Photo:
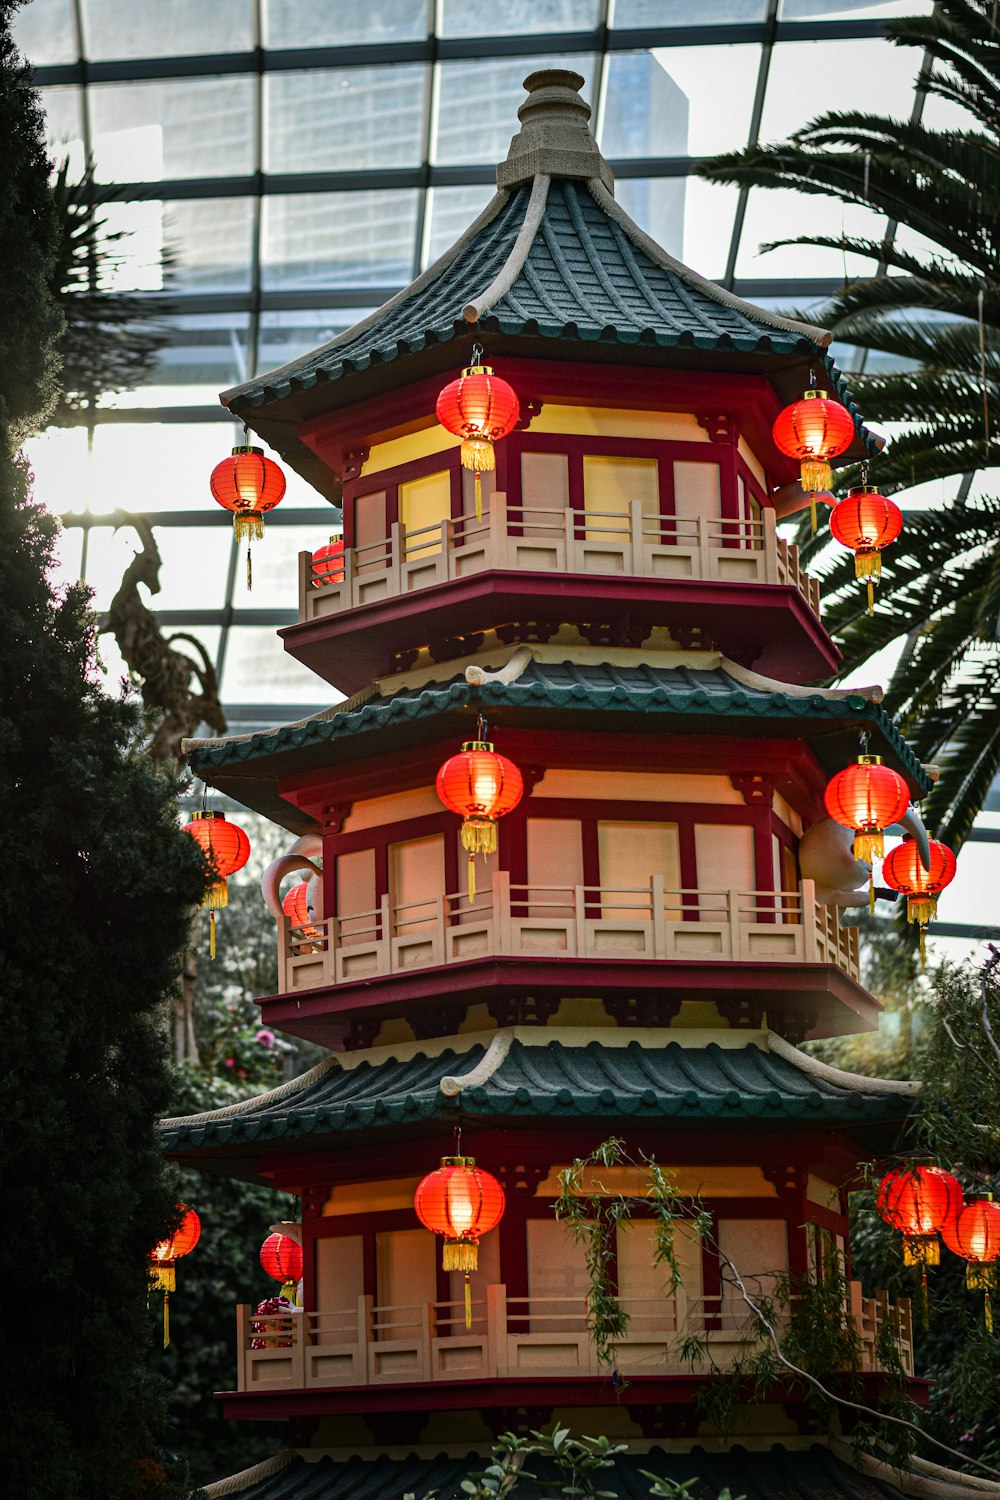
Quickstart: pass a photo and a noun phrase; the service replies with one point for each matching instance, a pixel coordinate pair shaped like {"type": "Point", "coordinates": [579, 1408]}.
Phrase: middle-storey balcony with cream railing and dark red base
{"type": "Point", "coordinates": [746, 950]}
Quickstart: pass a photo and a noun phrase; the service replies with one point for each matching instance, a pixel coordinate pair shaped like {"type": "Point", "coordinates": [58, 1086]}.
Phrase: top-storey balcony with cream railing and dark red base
{"type": "Point", "coordinates": [522, 563]}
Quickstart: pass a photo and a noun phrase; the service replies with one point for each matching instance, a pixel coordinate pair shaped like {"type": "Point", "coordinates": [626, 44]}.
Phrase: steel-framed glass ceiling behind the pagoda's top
{"type": "Point", "coordinates": [302, 160]}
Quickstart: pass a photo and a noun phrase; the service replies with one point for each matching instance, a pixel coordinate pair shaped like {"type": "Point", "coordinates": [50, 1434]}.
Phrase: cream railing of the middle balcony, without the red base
{"type": "Point", "coordinates": [573, 922]}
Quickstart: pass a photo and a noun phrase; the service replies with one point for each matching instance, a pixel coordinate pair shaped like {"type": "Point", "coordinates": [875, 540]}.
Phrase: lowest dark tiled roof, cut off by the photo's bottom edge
{"type": "Point", "coordinates": [774, 1475]}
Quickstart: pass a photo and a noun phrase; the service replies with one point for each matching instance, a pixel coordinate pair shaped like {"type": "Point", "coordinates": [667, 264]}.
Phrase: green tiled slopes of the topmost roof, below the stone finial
{"type": "Point", "coordinates": [582, 281]}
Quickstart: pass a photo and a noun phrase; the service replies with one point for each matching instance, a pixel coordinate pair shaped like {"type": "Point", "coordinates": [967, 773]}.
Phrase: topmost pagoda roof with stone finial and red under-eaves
{"type": "Point", "coordinates": [554, 268]}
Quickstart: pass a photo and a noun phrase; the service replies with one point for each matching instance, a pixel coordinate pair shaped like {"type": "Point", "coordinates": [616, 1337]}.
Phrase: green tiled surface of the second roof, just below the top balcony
{"type": "Point", "coordinates": [659, 694]}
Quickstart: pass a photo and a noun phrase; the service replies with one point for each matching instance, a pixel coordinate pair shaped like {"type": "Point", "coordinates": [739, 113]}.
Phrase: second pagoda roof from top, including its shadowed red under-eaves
{"type": "Point", "coordinates": [582, 695]}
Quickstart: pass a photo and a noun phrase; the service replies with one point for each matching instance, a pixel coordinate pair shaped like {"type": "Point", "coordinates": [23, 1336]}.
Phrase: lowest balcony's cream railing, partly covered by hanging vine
{"type": "Point", "coordinates": [512, 1339]}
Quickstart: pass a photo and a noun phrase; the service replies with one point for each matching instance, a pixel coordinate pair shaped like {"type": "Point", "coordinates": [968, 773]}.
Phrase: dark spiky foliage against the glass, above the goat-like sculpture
{"type": "Point", "coordinates": [112, 340]}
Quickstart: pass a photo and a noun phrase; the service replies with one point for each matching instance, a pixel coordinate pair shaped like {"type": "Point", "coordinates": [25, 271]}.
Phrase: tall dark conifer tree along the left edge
{"type": "Point", "coordinates": [94, 913]}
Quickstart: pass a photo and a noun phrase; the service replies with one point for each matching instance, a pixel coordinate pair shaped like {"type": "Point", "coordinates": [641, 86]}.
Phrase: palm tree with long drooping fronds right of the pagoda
{"type": "Point", "coordinates": [938, 314]}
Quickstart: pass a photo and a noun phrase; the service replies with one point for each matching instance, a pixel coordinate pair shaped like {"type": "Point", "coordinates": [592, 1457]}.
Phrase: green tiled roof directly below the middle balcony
{"type": "Point", "coordinates": [696, 1085]}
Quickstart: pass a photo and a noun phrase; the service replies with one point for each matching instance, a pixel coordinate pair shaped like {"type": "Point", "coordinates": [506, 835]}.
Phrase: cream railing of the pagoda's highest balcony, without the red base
{"type": "Point", "coordinates": [536, 539]}
